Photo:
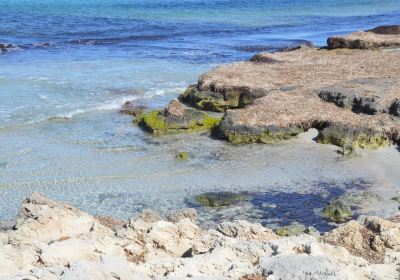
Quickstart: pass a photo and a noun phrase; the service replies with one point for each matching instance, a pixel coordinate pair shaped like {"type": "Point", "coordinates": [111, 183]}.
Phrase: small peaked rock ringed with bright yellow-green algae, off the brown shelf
{"type": "Point", "coordinates": [176, 119]}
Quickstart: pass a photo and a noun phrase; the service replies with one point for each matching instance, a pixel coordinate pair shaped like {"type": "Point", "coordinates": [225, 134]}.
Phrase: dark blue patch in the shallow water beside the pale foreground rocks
{"type": "Point", "coordinates": [278, 209]}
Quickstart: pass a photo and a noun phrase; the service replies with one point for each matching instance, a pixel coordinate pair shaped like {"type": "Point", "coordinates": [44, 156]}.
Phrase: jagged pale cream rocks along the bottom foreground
{"type": "Point", "coordinates": [53, 240]}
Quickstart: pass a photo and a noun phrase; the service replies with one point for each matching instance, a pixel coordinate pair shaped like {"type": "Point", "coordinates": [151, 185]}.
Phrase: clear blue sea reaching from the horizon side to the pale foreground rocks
{"type": "Point", "coordinates": [76, 62]}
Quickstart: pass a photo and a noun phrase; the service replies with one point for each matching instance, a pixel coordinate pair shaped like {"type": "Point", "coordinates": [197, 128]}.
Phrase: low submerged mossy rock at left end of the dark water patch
{"type": "Point", "coordinates": [219, 199]}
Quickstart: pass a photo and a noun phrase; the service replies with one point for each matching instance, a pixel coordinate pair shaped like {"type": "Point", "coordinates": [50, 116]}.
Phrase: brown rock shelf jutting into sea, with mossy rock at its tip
{"type": "Point", "coordinates": [348, 91]}
